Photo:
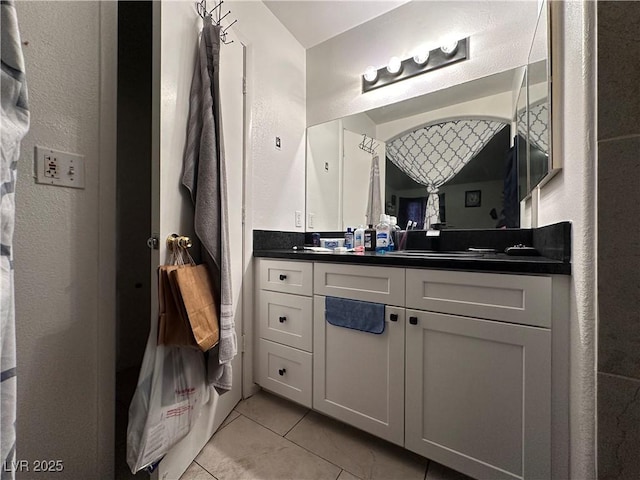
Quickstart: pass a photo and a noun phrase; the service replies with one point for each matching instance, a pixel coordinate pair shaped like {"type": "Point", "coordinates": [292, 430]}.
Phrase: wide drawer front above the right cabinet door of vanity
{"type": "Point", "coordinates": [521, 299]}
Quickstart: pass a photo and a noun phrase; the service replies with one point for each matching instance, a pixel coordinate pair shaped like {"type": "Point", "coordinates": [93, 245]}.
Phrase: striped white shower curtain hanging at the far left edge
{"type": "Point", "coordinates": [15, 123]}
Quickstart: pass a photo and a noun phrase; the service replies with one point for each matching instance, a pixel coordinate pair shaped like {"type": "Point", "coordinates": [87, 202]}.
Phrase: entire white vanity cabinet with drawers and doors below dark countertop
{"type": "Point", "coordinates": [462, 373]}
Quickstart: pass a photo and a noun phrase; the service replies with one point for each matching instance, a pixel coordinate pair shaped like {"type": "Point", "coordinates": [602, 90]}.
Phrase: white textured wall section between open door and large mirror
{"type": "Point", "coordinates": [276, 96]}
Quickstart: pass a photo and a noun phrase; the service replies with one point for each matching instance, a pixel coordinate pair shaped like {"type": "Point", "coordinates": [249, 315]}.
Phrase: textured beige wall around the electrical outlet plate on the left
{"type": "Point", "coordinates": [58, 248]}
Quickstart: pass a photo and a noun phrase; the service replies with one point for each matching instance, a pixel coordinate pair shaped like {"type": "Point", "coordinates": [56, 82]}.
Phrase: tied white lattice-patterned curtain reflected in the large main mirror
{"type": "Point", "coordinates": [434, 154]}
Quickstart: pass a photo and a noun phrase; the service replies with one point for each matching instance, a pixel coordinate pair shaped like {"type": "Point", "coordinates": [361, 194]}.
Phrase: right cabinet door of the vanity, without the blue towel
{"type": "Point", "coordinates": [478, 395]}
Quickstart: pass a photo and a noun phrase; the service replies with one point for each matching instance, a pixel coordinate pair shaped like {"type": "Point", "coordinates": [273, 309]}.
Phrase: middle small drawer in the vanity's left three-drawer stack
{"type": "Point", "coordinates": [285, 318]}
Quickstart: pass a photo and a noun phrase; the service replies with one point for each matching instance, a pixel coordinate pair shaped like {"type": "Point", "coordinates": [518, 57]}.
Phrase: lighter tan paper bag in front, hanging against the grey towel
{"type": "Point", "coordinates": [193, 291]}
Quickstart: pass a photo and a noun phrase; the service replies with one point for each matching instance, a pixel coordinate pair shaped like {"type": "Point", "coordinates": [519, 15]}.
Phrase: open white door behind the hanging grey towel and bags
{"type": "Point", "coordinates": [175, 47]}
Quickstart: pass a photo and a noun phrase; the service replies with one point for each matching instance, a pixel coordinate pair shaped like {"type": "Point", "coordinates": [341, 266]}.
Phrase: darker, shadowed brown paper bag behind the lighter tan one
{"type": "Point", "coordinates": [173, 324]}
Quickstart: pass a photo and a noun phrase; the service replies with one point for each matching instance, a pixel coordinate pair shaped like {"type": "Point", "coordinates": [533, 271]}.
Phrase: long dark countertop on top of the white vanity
{"type": "Point", "coordinates": [492, 262]}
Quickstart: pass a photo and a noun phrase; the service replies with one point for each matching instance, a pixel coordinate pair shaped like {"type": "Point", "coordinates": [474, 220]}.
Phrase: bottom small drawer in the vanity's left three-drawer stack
{"type": "Point", "coordinates": [285, 371]}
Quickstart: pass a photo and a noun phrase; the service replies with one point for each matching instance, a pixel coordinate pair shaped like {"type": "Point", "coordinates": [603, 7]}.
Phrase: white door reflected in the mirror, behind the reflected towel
{"type": "Point", "coordinates": [355, 179]}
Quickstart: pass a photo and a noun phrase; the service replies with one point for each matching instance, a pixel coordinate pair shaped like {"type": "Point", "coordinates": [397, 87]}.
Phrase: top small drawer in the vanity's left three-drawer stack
{"type": "Point", "coordinates": [285, 276]}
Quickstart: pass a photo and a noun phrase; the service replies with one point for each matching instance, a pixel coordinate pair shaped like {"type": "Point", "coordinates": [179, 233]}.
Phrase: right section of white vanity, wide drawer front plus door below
{"type": "Point", "coordinates": [478, 375]}
